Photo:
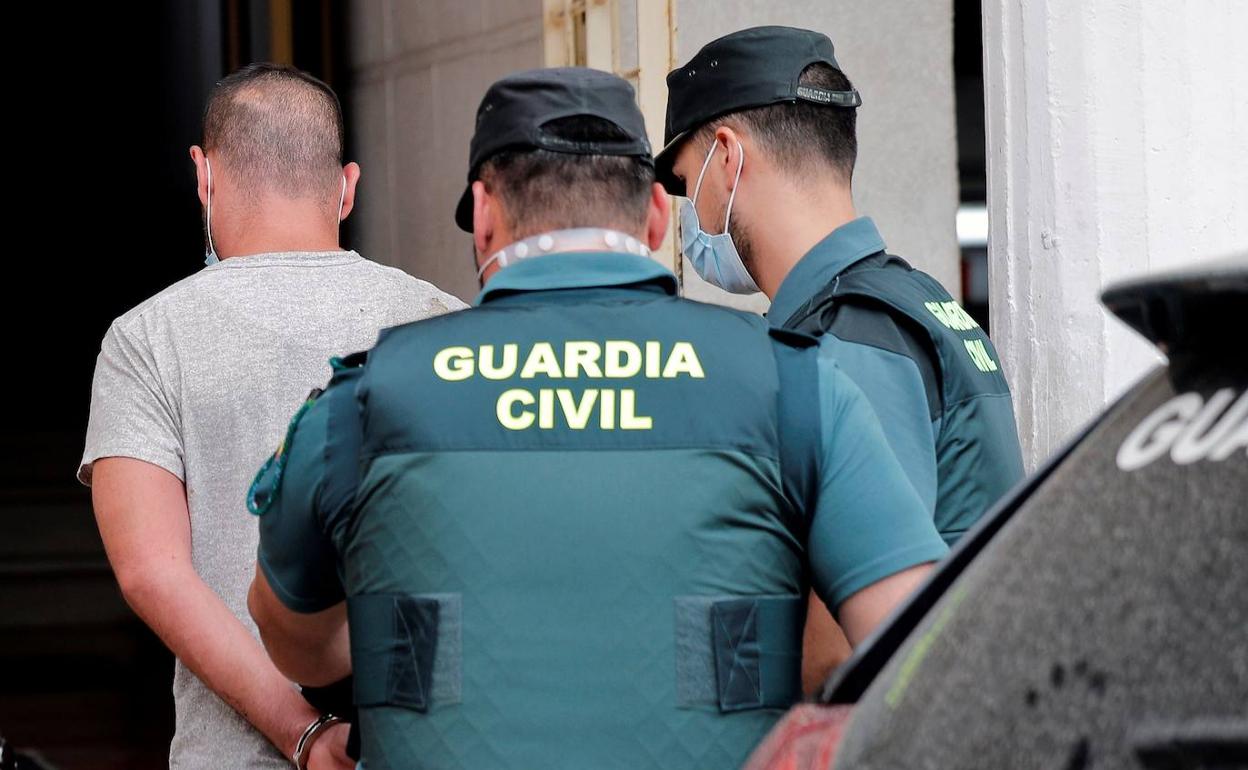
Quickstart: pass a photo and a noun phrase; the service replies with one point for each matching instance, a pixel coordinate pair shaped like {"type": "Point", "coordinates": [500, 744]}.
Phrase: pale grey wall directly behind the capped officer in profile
{"type": "Point", "coordinates": [899, 54]}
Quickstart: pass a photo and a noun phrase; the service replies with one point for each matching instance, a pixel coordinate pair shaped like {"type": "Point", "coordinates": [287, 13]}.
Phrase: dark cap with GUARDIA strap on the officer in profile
{"type": "Point", "coordinates": [753, 68]}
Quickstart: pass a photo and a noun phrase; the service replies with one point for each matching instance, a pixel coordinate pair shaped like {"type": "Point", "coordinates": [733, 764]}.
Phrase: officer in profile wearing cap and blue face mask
{"type": "Point", "coordinates": [761, 137]}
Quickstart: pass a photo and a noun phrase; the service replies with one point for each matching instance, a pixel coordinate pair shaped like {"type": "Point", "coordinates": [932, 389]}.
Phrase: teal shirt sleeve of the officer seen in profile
{"type": "Point", "coordinates": [895, 391]}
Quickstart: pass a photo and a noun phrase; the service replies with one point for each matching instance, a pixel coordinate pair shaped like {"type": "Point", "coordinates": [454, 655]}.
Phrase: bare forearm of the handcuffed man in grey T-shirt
{"type": "Point", "coordinates": [215, 646]}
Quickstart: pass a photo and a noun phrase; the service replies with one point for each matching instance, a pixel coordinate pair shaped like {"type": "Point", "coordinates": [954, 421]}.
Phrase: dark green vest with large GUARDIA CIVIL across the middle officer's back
{"type": "Point", "coordinates": [572, 545]}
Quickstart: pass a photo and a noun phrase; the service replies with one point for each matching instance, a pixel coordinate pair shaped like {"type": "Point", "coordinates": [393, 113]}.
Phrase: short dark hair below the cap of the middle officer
{"type": "Point", "coordinates": [544, 190]}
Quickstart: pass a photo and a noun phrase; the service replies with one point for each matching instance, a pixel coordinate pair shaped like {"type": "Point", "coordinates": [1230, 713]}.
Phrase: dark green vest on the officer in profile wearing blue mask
{"type": "Point", "coordinates": [978, 454]}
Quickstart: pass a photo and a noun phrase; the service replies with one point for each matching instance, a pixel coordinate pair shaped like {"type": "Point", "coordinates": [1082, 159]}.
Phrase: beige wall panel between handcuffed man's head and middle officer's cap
{"type": "Point", "coordinates": [420, 69]}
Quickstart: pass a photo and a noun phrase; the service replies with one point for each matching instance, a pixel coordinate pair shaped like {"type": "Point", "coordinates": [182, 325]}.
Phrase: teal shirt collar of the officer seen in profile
{"type": "Point", "coordinates": [827, 260]}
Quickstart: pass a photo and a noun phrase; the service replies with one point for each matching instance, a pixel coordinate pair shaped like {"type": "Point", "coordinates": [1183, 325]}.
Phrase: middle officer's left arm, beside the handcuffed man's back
{"type": "Point", "coordinates": [296, 597]}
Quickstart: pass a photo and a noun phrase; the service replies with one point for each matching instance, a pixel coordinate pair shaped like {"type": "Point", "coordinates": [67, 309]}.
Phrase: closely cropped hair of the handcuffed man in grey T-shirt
{"type": "Point", "coordinates": [279, 127]}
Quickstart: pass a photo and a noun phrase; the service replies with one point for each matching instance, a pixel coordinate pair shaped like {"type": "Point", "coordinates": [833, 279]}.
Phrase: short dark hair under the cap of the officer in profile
{"type": "Point", "coordinates": [796, 133]}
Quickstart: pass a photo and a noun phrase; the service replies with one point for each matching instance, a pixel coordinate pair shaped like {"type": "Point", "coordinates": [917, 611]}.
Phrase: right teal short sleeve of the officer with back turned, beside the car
{"type": "Point", "coordinates": [869, 522]}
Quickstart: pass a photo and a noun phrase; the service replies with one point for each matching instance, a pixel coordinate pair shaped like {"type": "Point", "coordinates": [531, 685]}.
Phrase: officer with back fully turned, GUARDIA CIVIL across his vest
{"type": "Point", "coordinates": [573, 526]}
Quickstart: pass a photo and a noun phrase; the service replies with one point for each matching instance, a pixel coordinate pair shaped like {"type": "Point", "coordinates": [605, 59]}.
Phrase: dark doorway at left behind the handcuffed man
{"type": "Point", "coordinates": [102, 112]}
